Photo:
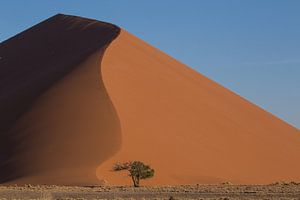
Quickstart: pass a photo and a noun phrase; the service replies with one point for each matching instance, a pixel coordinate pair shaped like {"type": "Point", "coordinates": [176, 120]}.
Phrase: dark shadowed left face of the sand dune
{"type": "Point", "coordinates": [57, 121]}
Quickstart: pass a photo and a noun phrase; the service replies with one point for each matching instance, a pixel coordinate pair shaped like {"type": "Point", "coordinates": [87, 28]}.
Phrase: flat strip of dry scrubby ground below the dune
{"type": "Point", "coordinates": [223, 191]}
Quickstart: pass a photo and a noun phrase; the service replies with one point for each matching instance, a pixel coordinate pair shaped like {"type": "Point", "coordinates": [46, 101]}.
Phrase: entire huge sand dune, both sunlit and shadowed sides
{"type": "Point", "coordinates": [71, 124]}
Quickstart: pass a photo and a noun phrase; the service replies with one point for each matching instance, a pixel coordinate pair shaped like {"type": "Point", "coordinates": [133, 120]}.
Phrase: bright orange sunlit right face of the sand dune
{"type": "Point", "coordinates": [190, 129]}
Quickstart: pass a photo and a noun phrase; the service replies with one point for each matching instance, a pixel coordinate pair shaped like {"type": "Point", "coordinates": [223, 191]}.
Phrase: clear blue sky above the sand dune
{"type": "Point", "coordinates": [250, 46]}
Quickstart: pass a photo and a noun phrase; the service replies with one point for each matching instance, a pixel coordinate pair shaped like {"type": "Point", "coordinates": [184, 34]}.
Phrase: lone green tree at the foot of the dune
{"type": "Point", "coordinates": [137, 170]}
